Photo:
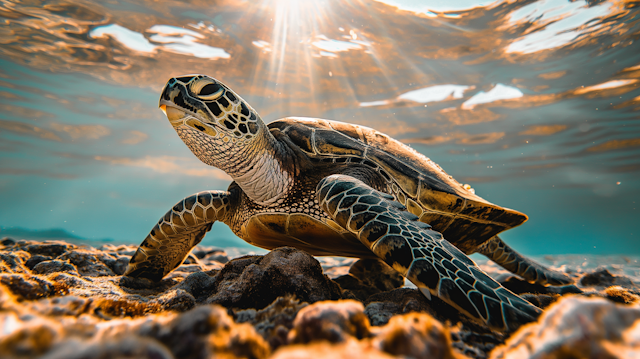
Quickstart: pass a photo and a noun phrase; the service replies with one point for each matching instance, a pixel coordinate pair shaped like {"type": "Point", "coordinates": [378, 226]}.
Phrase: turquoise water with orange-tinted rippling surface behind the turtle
{"type": "Point", "coordinates": [535, 104]}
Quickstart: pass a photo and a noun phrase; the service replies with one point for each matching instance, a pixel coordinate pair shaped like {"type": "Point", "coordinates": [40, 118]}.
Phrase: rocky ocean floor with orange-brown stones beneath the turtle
{"type": "Point", "coordinates": [60, 300]}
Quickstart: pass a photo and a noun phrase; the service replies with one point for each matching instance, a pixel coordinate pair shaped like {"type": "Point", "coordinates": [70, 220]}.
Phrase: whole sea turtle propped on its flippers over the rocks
{"type": "Point", "coordinates": [332, 188]}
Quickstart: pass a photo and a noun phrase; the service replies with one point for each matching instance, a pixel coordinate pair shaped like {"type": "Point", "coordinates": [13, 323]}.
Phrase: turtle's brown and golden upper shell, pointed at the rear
{"type": "Point", "coordinates": [463, 218]}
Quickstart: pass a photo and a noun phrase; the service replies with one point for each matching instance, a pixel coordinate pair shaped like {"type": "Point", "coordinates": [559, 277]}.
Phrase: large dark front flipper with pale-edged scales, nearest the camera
{"type": "Point", "coordinates": [421, 254]}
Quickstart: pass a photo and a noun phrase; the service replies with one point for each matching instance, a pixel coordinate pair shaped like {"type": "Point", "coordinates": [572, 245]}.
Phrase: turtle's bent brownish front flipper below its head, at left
{"type": "Point", "coordinates": [181, 228]}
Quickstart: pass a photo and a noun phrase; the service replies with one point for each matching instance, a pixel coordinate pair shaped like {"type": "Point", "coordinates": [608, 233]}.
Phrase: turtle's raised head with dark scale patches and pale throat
{"type": "Point", "coordinates": [211, 119]}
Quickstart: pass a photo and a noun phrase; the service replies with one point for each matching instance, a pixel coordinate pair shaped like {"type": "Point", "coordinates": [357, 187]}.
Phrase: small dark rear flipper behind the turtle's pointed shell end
{"type": "Point", "coordinates": [505, 256]}
